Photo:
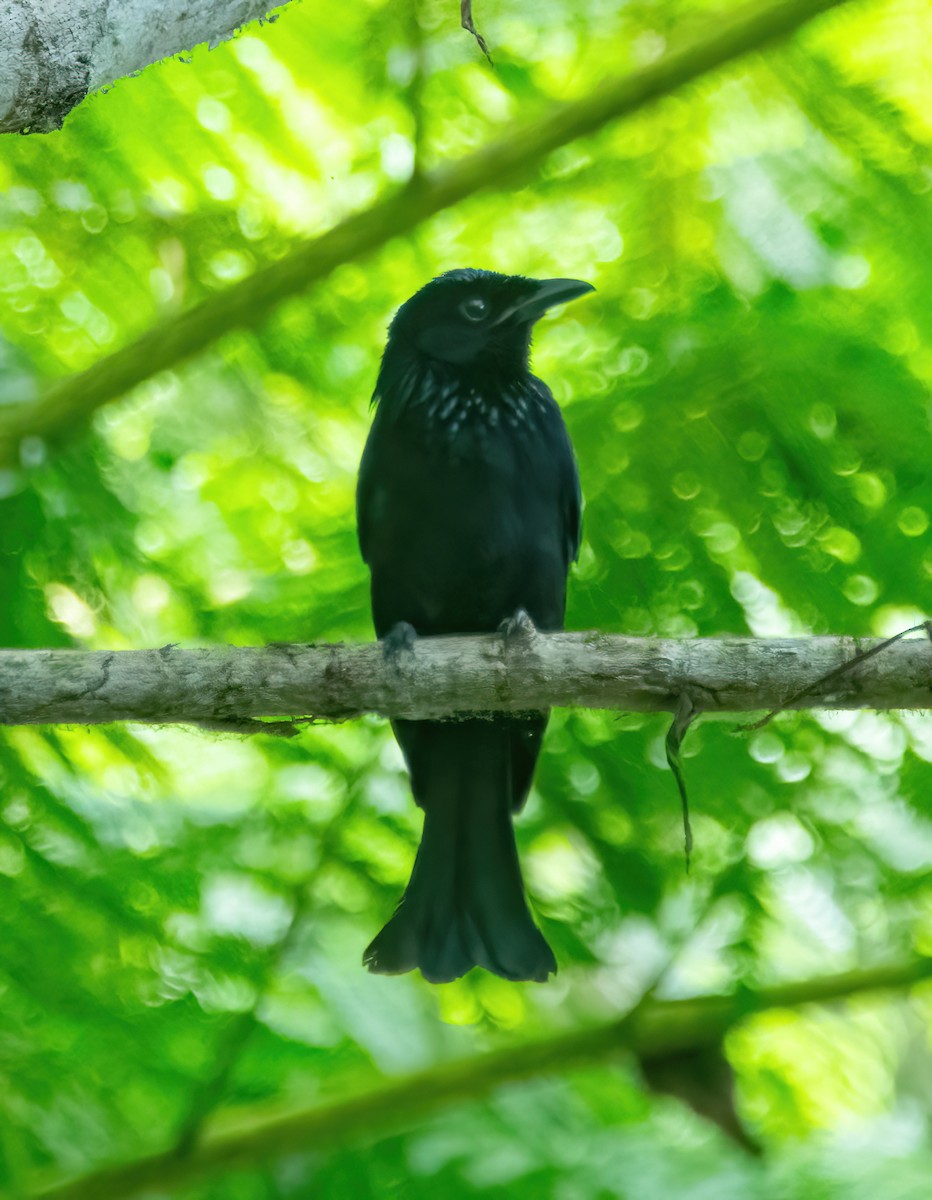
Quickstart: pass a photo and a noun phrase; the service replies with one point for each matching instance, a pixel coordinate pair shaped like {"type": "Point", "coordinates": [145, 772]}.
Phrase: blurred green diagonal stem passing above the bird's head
{"type": "Point", "coordinates": [69, 404]}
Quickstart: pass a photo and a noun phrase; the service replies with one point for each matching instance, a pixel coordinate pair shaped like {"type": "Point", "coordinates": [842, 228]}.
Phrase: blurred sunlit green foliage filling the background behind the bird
{"type": "Point", "coordinates": [184, 914]}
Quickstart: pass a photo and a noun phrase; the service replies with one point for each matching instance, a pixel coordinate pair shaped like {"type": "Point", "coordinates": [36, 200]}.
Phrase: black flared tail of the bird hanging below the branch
{"type": "Point", "coordinates": [465, 905]}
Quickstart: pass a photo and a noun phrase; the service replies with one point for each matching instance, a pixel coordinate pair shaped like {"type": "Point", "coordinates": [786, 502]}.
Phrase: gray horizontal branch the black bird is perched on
{"type": "Point", "coordinates": [229, 688]}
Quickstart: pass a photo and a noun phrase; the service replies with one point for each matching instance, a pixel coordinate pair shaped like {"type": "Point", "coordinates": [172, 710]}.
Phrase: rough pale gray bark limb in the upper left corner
{"type": "Point", "coordinates": [55, 52]}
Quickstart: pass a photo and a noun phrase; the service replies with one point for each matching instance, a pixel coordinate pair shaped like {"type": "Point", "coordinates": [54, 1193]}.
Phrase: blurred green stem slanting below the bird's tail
{"type": "Point", "coordinates": [657, 1029]}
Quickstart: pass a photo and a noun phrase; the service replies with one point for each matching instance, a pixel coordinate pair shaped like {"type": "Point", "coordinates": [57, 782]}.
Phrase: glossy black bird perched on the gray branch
{"type": "Point", "coordinates": [468, 509]}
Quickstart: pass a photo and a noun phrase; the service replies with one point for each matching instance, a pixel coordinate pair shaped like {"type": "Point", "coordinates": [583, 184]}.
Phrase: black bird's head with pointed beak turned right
{"type": "Point", "coordinates": [477, 321]}
